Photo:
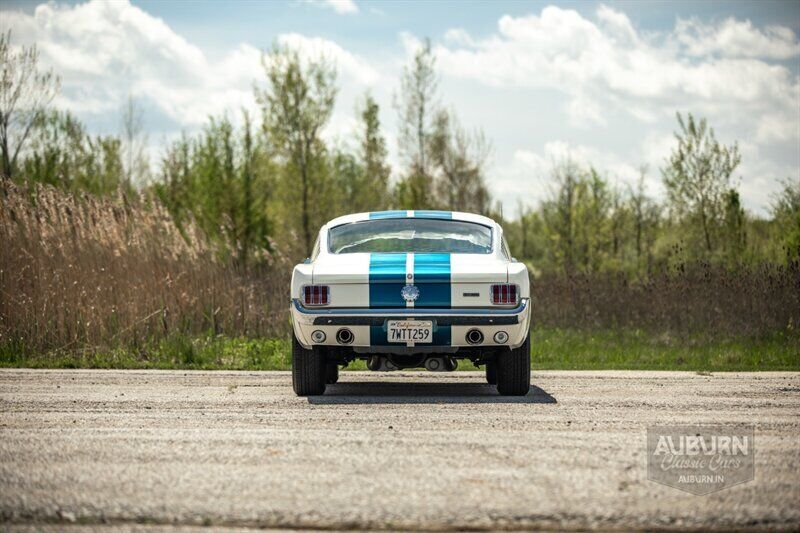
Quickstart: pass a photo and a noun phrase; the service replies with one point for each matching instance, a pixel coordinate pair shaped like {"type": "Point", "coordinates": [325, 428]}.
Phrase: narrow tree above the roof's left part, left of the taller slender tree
{"type": "Point", "coordinates": [373, 155]}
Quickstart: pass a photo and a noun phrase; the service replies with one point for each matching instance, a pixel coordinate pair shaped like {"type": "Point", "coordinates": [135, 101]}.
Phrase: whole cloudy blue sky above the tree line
{"type": "Point", "coordinates": [595, 82]}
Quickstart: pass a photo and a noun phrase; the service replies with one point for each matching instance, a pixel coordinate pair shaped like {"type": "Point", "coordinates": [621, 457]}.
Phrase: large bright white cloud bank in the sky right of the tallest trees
{"type": "Point", "coordinates": [629, 72]}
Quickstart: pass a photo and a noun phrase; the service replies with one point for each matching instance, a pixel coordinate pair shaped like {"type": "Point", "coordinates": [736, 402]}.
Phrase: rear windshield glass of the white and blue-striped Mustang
{"type": "Point", "coordinates": [411, 235]}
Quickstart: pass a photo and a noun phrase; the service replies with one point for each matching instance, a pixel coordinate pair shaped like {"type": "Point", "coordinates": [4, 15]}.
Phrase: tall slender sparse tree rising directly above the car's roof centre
{"type": "Point", "coordinates": [416, 105]}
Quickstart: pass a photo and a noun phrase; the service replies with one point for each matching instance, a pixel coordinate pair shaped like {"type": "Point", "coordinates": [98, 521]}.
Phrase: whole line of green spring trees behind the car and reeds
{"type": "Point", "coordinates": [264, 184]}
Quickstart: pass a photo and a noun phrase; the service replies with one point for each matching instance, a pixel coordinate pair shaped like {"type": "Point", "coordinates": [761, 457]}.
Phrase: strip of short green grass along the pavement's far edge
{"type": "Point", "coordinates": [550, 349]}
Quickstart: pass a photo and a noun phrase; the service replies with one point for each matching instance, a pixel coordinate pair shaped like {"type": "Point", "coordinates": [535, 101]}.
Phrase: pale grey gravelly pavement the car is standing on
{"type": "Point", "coordinates": [401, 450]}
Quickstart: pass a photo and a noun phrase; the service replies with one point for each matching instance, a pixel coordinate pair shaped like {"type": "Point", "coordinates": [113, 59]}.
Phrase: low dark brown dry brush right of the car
{"type": "Point", "coordinates": [698, 298]}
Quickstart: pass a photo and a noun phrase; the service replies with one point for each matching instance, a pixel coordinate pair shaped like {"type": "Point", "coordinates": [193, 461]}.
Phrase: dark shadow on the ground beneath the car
{"type": "Point", "coordinates": [399, 392]}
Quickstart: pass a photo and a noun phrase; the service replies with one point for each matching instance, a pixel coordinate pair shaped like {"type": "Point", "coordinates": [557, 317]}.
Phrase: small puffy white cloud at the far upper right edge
{"type": "Point", "coordinates": [735, 38]}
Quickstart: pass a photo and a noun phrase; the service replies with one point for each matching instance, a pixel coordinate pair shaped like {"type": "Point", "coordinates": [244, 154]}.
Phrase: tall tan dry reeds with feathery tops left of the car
{"type": "Point", "coordinates": [77, 272]}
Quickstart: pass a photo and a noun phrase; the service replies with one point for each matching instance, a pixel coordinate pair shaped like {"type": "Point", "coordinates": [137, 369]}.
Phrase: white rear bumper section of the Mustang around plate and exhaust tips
{"type": "Point", "coordinates": [450, 326]}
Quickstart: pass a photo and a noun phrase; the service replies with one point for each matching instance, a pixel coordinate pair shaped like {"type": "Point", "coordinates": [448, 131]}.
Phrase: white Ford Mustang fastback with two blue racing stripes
{"type": "Point", "coordinates": [408, 289]}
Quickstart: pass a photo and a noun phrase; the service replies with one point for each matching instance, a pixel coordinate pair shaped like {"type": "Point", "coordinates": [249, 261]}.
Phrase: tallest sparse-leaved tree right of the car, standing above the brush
{"type": "Point", "coordinates": [698, 178]}
